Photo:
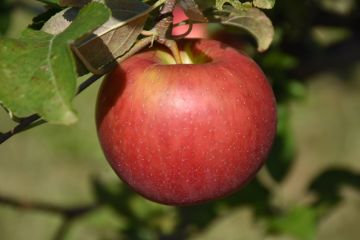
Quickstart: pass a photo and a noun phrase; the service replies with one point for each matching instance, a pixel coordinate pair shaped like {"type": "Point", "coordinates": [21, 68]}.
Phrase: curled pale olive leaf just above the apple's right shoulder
{"type": "Point", "coordinates": [253, 20]}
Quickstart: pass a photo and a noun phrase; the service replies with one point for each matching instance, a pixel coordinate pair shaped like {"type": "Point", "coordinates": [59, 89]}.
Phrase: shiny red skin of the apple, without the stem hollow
{"type": "Point", "coordinates": [183, 134]}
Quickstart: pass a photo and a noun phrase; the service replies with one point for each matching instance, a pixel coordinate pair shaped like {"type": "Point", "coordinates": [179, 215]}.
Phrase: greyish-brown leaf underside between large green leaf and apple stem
{"type": "Point", "coordinates": [112, 39]}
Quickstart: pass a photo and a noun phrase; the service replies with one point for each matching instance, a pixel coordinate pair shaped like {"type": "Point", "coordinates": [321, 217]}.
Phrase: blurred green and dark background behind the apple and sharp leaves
{"type": "Point", "coordinates": [56, 184]}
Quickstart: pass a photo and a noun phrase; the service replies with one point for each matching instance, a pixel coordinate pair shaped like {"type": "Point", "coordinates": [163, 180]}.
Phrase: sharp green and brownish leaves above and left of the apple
{"type": "Point", "coordinates": [55, 83]}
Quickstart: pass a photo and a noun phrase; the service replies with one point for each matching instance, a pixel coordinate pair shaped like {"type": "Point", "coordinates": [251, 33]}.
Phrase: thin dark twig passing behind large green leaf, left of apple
{"type": "Point", "coordinates": [35, 120]}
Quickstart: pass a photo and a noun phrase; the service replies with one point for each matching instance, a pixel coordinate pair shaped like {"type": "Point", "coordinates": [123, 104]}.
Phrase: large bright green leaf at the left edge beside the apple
{"type": "Point", "coordinates": [38, 70]}
